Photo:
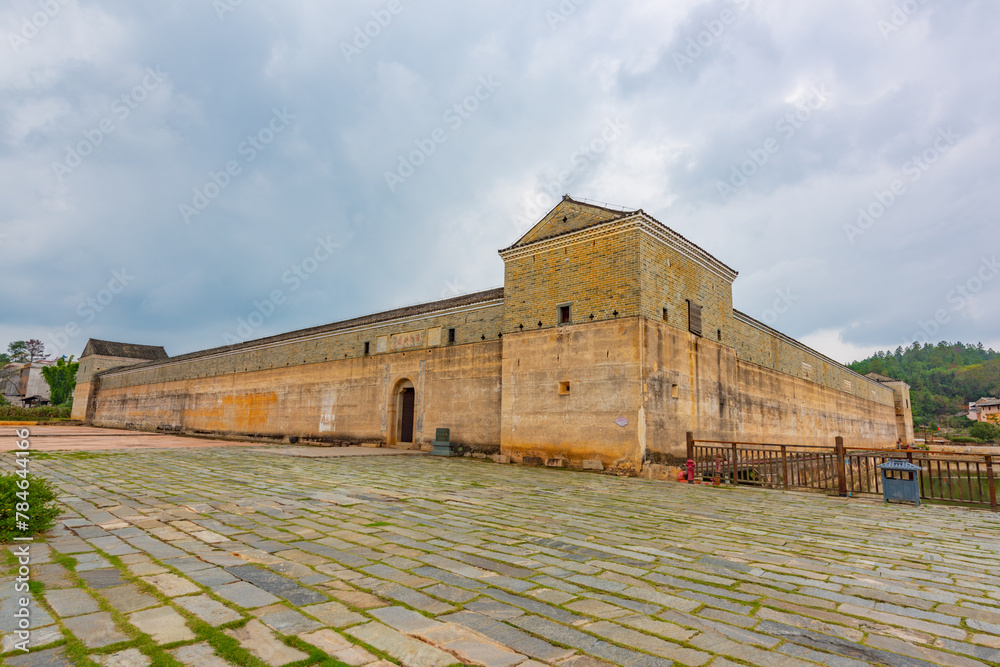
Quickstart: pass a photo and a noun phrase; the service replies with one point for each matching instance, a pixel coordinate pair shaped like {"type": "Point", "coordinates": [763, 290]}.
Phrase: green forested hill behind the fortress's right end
{"type": "Point", "coordinates": [943, 378]}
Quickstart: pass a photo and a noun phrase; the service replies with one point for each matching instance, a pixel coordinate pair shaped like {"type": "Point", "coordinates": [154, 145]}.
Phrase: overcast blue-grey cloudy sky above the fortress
{"type": "Point", "coordinates": [167, 168]}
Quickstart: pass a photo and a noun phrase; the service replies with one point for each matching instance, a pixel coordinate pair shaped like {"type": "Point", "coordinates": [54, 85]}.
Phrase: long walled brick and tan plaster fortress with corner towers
{"type": "Point", "coordinates": [611, 338]}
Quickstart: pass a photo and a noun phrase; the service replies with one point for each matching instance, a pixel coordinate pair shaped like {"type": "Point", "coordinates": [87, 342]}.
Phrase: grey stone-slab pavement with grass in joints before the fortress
{"type": "Point", "coordinates": [237, 556]}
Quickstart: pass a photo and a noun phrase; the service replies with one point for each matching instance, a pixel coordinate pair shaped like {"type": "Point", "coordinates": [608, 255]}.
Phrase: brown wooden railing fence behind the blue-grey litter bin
{"type": "Point", "coordinates": [967, 479]}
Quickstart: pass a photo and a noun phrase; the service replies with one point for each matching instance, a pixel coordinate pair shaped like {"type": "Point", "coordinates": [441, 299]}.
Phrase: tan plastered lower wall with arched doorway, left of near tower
{"type": "Point", "coordinates": [457, 387]}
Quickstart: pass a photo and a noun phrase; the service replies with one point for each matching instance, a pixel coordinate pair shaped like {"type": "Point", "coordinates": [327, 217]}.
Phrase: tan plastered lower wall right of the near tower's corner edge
{"type": "Point", "coordinates": [698, 385]}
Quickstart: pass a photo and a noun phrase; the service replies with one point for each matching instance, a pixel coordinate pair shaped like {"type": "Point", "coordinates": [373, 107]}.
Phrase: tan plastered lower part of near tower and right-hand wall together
{"type": "Point", "coordinates": [664, 381]}
